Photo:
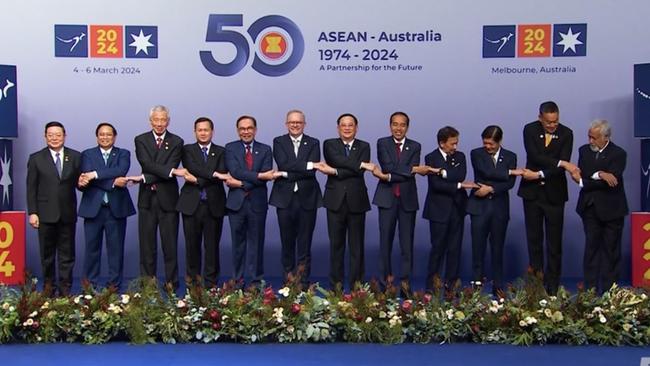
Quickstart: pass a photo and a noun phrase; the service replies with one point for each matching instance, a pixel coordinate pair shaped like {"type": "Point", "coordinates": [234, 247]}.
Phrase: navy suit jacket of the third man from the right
{"type": "Point", "coordinates": [485, 172]}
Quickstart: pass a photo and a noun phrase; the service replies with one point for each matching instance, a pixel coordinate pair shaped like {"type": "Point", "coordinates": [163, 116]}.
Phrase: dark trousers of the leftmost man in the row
{"type": "Point", "coordinates": [57, 243]}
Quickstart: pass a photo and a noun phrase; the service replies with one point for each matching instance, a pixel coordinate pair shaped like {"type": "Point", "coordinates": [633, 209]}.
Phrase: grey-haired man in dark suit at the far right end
{"type": "Point", "coordinates": [602, 205]}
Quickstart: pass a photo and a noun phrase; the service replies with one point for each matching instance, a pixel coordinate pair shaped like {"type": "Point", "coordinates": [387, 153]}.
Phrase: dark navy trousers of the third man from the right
{"type": "Point", "coordinates": [491, 225]}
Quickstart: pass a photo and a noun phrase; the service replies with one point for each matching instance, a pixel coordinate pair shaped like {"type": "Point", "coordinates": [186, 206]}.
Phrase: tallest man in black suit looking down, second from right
{"type": "Point", "coordinates": [543, 188]}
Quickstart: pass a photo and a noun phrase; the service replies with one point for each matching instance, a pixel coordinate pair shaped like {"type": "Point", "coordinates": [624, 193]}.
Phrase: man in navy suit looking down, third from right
{"type": "Point", "coordinates": [495, 171]}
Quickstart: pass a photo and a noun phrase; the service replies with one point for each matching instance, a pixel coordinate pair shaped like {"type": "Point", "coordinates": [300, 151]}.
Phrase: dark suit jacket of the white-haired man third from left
{"type": "Point", "coordinates": [156, 165]}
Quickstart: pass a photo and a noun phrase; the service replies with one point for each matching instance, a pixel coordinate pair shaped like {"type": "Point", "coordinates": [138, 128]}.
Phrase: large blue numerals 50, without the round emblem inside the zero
{"type": "Point", "coordinates": [217, 33]}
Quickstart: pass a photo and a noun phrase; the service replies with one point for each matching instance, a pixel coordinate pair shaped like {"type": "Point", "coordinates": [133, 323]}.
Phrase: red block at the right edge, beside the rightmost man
{"type": "Point", "coordinates": [641, 249]}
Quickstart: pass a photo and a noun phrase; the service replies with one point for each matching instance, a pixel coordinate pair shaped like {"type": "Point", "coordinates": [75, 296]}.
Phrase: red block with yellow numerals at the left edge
{"type": "Point", "coordinates": [12, 247]}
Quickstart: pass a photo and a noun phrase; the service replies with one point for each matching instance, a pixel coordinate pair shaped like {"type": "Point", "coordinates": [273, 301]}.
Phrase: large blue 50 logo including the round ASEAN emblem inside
{"type": "Point", "coordinates": [278, 45]}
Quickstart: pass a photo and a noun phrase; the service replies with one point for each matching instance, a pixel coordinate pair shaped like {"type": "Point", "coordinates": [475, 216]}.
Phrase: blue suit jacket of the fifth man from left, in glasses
{"type": "Point", "coordinates": [253, 187]}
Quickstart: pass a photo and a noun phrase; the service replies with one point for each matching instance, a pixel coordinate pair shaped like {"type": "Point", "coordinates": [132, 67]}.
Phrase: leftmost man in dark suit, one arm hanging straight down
{"type": "Point", "coordinates": [52, 176]}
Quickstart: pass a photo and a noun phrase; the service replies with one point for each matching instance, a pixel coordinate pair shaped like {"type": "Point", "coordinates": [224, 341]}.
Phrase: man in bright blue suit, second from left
{"type": "Point", "coordinates": [105, 204]}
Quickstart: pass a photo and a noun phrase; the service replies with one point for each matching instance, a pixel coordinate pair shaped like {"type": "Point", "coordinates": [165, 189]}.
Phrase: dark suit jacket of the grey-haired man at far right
{"type": "Point", "coordinates": [610, 202]}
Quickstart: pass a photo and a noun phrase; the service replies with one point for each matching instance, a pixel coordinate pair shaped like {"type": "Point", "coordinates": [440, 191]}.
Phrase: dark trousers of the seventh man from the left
{"type": "Point", "coordinates": [341, 224]}
